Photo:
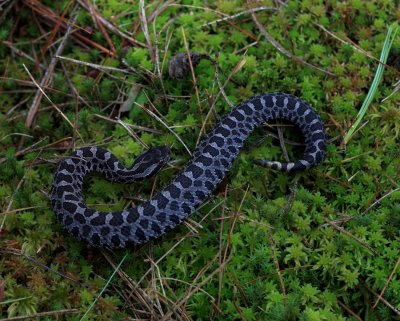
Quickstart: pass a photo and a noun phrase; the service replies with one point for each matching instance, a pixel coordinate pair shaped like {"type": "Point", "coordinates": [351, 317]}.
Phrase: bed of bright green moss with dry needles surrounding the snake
{"type": "Point", "coordinates": [318, 245]}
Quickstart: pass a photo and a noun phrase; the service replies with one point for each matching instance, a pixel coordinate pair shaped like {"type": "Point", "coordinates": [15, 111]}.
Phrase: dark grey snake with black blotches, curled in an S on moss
{"type": "Point", "coordinates": [209, 164]}
